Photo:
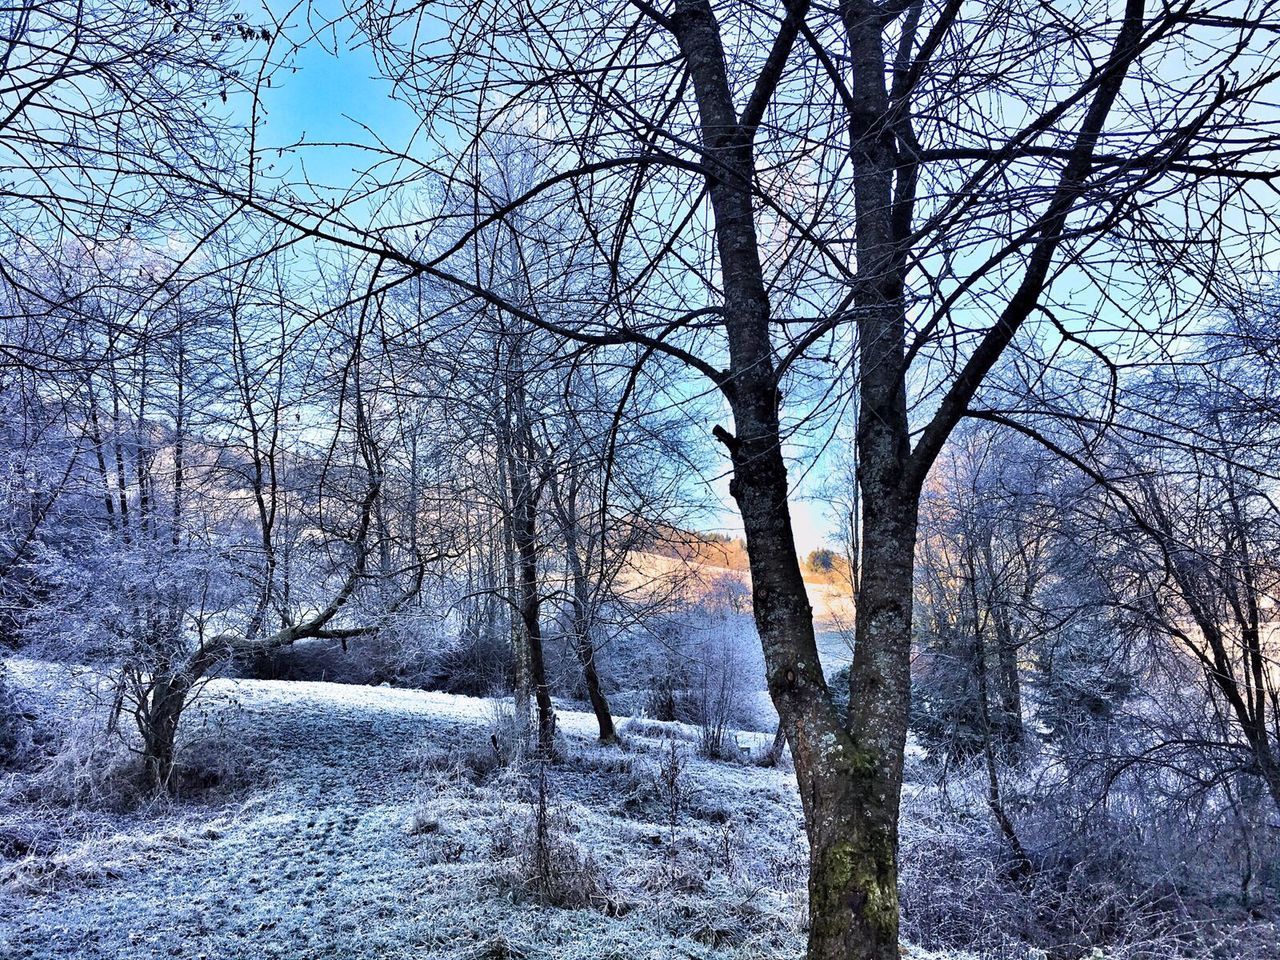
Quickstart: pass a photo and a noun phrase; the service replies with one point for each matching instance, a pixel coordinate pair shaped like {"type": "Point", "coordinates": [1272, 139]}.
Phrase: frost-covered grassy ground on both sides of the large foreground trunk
{"type": "Point", "coordinates": [339, 821]}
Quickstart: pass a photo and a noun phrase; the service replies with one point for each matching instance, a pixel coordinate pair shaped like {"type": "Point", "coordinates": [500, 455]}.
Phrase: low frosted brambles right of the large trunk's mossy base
{"type": "Point", "coordinates": [1127, 880]}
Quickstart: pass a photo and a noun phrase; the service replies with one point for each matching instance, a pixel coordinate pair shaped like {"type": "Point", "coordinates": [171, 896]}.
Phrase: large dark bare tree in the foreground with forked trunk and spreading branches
{"type": "Point", "coordinates": [911, 189]}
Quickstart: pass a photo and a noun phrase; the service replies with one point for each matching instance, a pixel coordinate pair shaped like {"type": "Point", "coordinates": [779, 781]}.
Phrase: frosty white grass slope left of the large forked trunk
{"type": "Point", "coordinates": [341, 821]}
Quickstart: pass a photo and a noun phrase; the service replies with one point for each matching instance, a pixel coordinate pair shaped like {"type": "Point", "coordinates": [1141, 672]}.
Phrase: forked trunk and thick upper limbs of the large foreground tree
{"type": "Point", "coordinates": [849, 774]}
